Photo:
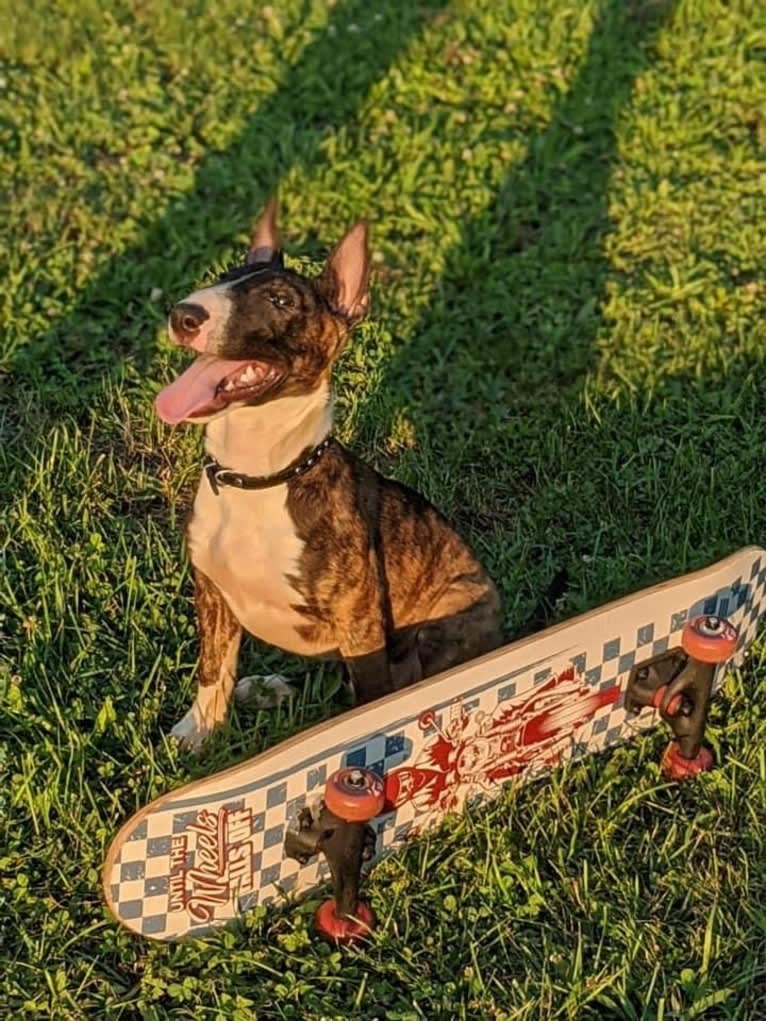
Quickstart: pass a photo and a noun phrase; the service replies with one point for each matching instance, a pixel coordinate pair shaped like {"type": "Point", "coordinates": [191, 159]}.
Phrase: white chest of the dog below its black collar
{"type": "Point", "coordinates": [246, 543]}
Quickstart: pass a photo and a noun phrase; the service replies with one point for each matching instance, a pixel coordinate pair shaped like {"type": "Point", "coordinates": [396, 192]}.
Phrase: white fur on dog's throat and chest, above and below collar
{"type": "Point", "coordinates": [245, 541]}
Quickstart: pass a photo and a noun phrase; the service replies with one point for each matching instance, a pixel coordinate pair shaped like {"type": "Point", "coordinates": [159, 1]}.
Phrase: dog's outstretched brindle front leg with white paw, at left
{"type": "Point", "coordinates": [220, 636]}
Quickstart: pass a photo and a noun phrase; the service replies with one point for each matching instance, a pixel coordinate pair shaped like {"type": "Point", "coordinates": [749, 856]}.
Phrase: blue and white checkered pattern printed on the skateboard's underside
{"type": "Point", "coordinates": [164, 844]}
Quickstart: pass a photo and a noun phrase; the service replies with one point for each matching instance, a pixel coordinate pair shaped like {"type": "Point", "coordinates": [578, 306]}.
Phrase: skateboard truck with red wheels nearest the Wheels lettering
{"type": "Point", "coordinates": [342, 834]}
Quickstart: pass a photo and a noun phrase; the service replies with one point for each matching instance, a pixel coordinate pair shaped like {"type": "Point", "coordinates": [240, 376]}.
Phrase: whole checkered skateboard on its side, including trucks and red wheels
{"type": "Point", "coordinates": [328, 803]}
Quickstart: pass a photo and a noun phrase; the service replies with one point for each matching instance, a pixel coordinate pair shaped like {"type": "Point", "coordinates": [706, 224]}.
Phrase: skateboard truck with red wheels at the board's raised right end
{"type": "Point", "coordinates": [680, 685]}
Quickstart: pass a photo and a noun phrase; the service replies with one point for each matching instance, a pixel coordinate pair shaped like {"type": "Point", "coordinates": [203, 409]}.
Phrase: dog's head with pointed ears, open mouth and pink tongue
{"type": "Point", "coordinates": [263, 331]}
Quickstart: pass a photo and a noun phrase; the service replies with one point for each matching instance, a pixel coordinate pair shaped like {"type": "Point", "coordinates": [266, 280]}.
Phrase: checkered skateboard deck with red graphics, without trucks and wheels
{"type": "Point", "coordinates": [200, 856]}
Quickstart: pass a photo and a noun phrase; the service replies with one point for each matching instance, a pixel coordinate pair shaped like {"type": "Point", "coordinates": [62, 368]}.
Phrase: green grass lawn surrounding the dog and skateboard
{"type": "Point", "coordinates": [566, 354]}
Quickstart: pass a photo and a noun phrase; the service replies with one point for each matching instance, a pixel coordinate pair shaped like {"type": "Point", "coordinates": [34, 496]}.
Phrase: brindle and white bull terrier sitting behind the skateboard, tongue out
{"type": "Point", "coordinates": [293, 538]}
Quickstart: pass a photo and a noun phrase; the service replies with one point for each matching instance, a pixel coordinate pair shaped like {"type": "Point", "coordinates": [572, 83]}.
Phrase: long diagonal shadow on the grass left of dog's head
{"type": "Point", "coordinates": [114, 321]}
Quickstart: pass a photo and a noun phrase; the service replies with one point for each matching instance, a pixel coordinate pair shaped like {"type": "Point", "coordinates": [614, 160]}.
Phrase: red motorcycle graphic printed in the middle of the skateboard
{"type": "Point", "coordinates": [478, 751]}
